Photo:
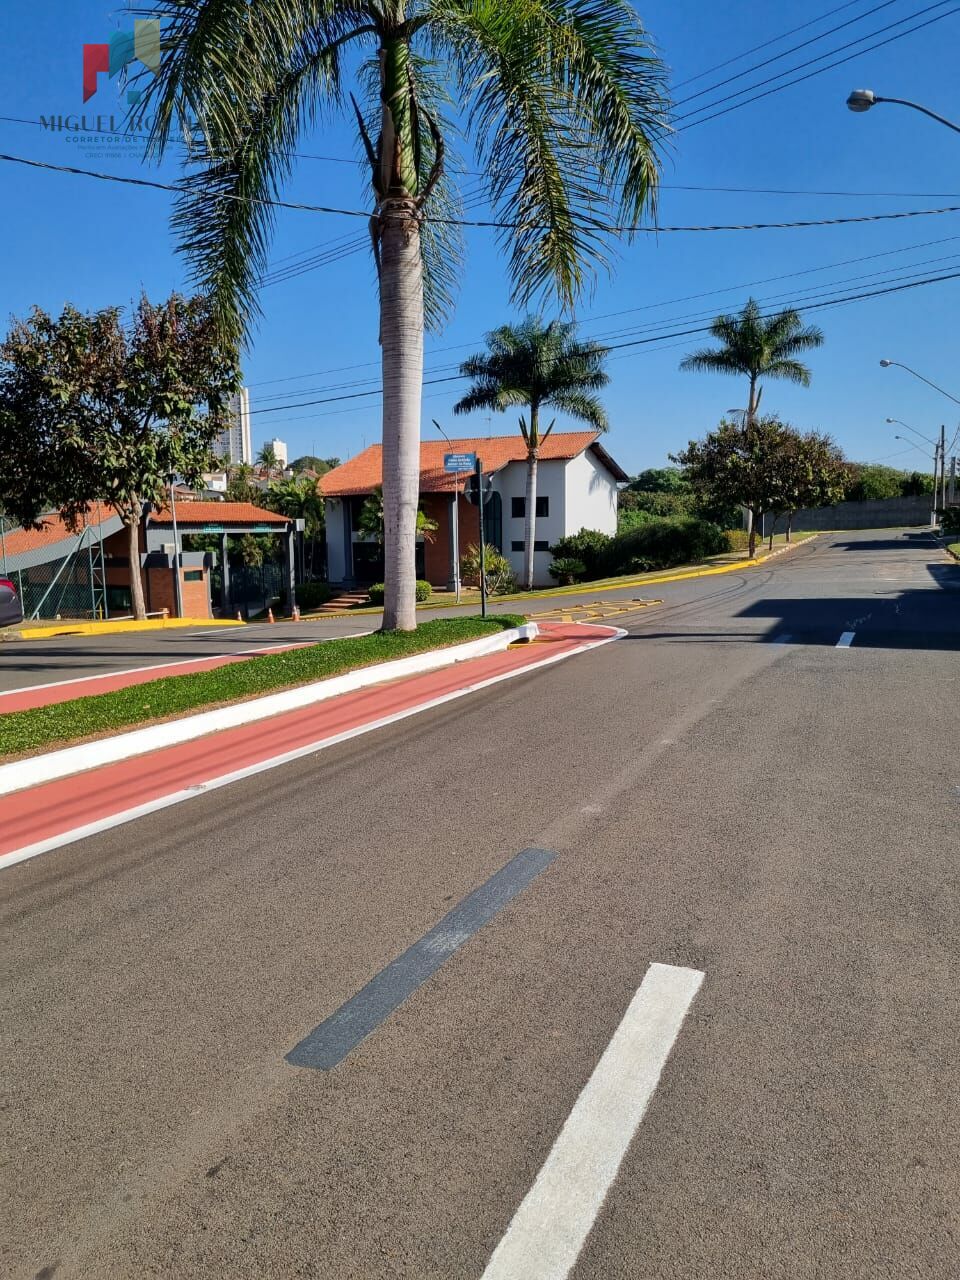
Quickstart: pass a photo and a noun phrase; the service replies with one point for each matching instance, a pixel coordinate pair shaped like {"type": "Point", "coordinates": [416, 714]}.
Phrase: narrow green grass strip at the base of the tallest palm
{"type": "Point", "coordinates": [44, 728]}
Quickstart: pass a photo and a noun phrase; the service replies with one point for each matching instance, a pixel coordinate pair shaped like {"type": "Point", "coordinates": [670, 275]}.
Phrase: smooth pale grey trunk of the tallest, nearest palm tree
{"type": "Point", "coordinates": [403, 342]}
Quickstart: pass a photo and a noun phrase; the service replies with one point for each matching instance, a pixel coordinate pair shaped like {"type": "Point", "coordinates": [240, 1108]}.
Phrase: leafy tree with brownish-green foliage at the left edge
{"type": "Point", "coordinates": [98, 408]}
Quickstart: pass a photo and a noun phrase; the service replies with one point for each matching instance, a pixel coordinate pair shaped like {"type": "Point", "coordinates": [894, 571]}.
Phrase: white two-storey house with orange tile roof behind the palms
{"type": "Point", "coordinates": [577, 490]}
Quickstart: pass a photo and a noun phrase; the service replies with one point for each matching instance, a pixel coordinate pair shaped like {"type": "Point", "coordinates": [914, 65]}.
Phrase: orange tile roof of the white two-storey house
{"type": "Point", "coordinates": [364, 473]}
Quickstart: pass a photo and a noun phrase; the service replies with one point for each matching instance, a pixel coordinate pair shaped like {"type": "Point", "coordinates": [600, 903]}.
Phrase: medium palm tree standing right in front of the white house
{"type": "Point", "coordinates": [540, 367]}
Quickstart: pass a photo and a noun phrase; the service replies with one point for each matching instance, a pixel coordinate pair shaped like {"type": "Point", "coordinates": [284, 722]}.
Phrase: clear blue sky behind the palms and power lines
{"type": "Point", "coordinates": [98, 244]}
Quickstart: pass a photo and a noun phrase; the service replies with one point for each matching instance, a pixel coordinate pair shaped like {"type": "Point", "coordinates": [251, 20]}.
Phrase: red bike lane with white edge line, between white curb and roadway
{"type": "Point", "coordinates": [47, 816]}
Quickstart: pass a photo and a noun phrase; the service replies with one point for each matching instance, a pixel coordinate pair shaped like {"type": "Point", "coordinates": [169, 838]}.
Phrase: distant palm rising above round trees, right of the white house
{"type": "Point", "coordinates": [758, 346]}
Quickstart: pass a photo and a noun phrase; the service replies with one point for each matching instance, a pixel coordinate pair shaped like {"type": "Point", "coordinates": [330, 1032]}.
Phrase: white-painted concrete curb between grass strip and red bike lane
{"type": "Point", "coordinates": [35, 770]}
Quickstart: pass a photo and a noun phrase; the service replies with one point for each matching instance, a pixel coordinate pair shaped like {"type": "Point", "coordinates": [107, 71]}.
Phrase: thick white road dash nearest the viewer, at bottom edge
{"type": "Point", "coordinates": [548, 1231]}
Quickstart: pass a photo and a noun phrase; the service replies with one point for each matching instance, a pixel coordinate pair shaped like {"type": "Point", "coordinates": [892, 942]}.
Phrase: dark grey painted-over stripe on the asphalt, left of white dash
{"type": "Point", "coordinates": [340, 1035]}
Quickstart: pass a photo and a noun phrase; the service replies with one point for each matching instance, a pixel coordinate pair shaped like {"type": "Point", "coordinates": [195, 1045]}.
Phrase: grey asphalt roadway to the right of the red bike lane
{"type": "Point", "coordinates": [780, 816]}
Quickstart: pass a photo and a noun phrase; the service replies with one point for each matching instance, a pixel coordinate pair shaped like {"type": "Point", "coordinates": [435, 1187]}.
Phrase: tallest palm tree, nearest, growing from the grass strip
{"type": "Point", "coordinates": [565, 102]}
